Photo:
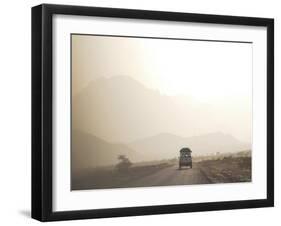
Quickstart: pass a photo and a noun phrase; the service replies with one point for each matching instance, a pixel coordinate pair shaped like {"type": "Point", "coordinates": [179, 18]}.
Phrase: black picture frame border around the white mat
{"type": "Point", "coordinates": [42, 106]}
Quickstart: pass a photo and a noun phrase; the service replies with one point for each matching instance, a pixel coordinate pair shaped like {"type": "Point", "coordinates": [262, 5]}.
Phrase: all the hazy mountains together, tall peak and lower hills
{"type": "Point", "coordinates": [119, 115]}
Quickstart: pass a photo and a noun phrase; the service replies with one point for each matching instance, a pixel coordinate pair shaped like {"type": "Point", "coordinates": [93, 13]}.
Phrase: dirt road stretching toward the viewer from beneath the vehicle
{"type": "Point", "coordinates": [172, 176]}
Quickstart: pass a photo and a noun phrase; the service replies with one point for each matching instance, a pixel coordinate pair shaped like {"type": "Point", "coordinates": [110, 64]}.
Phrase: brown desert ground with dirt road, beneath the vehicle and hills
{"type": "Point", "coordinates": [206, 170]}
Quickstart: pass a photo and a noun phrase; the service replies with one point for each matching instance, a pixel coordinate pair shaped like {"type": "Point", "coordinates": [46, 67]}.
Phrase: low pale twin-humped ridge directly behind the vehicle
{"type": "Point", "coordinates": [168, 145]}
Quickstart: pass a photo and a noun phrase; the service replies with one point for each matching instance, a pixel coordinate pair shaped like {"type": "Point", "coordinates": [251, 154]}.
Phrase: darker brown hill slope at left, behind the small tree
{"type": "Point", "coordinates": [89, 151]}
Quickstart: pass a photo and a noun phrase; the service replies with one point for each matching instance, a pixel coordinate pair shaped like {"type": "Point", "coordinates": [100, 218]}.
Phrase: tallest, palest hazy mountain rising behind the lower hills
{"type": "Point", "coordinates": [121, 109]}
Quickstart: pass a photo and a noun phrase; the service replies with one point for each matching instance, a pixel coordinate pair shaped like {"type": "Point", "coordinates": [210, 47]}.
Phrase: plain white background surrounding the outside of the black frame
{"type": "Point", "coordinates": [15, 114]}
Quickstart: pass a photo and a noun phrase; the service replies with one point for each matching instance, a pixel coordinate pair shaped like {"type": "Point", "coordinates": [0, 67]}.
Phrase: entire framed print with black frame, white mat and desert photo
{"type": "Point", "coordinates": [140, 112]}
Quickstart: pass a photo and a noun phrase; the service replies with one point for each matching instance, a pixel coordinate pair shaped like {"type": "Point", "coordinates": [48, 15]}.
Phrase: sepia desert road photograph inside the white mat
{"type": "Point", "coordinates": [160, 111]}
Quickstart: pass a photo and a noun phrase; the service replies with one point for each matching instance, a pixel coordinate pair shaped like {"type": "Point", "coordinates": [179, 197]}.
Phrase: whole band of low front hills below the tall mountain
{"type": "Point", "coordinates": [89, 151]}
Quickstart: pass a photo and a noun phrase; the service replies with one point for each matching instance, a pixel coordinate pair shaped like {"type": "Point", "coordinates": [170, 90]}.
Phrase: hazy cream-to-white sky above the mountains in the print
{"type": "Point", "coordinates": [216, 73]}
